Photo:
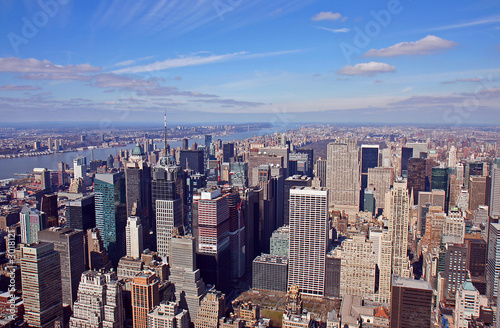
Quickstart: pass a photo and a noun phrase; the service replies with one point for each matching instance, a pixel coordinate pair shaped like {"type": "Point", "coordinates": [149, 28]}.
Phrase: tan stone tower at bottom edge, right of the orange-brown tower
{"type": "Point", "coordinates": [211, 309]}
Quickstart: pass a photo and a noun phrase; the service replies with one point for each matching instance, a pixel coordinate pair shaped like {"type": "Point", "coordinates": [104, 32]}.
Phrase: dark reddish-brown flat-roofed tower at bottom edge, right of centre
{"type": "Point", "coordinates": [411, 303]}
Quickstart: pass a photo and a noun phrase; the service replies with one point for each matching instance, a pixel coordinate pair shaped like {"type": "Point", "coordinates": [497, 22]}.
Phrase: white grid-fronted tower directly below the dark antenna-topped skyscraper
{"type": "Point", "coordinates": [168, 216]}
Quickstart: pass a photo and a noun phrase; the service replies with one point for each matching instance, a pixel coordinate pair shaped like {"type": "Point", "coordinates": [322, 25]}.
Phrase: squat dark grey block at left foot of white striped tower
{"type": "Point", "coordinates": [270, 272]}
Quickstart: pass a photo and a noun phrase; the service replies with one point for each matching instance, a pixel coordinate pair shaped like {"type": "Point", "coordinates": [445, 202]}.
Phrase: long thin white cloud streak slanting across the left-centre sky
{"type": "Point", "coordinates": [195, 60]}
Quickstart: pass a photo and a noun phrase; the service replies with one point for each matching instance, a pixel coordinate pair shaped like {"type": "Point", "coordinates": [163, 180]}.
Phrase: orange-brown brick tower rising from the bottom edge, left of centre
{"type": "Point", "coordinates": [144, 297]}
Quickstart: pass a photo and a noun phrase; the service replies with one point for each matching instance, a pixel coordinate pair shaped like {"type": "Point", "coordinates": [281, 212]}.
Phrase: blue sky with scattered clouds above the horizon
{"type": "Point", "coordinates": [274, 61]}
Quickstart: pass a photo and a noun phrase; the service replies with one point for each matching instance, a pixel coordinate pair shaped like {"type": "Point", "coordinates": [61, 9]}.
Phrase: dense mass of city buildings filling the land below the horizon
{"type": "Point", "coordinates": [322, 226]}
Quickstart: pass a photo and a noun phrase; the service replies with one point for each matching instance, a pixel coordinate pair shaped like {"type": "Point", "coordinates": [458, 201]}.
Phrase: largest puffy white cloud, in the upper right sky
{"type": "Point", "coordinates": [425, 46]}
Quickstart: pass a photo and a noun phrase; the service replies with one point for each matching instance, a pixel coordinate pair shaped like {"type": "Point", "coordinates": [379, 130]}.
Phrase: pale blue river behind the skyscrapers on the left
{"type": "Point", "coordinates": [9, 166]}
